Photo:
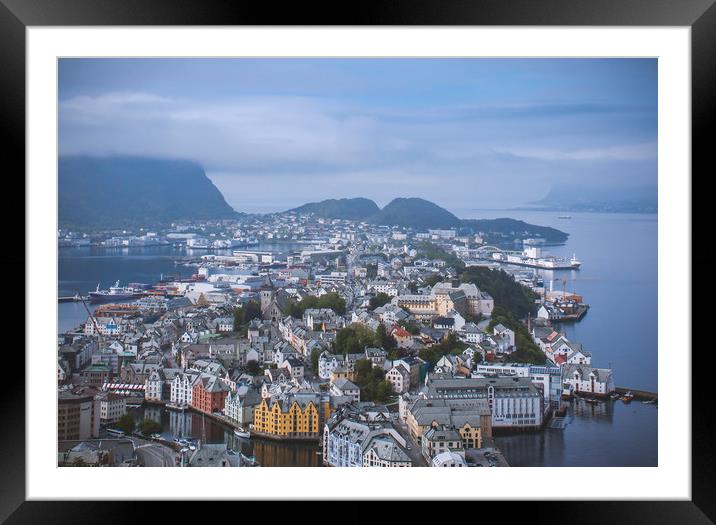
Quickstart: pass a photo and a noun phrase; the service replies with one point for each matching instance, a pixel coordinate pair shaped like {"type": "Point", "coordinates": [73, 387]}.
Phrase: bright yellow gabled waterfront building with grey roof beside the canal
{"type": "Point", "coordinates": [290, 416]}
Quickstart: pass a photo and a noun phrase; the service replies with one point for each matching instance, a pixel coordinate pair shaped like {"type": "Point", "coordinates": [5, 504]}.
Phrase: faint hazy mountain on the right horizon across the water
{"type": "Point", "coordinates": [618, 199]}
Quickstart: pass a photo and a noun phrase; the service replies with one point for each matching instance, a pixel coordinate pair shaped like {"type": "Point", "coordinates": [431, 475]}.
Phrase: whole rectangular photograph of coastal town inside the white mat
{"type": "Point", "coordinates": [357, 262]}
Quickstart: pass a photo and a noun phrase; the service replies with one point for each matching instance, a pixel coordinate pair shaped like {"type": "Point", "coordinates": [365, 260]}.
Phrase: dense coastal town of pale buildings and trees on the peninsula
{"type": "Point", "coordinates": [383, 346]}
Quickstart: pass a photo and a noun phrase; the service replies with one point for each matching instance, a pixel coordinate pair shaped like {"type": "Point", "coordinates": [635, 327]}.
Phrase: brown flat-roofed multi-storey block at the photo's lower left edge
{"type": "Point", "coordinates": [78, 415]}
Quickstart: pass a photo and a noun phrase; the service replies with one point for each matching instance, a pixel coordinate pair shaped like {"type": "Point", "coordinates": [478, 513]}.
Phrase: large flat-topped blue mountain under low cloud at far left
{"type": "Point", "coordinates": [130, 191]}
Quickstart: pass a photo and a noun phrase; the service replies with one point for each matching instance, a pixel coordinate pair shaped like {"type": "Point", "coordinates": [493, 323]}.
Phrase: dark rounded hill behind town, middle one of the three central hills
{"type": "Point", "coordinates": [414, 213]}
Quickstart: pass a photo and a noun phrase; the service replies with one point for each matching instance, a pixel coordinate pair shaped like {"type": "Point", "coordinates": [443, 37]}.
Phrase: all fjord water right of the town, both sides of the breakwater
{"type": "Point", "coordinates": [618, 279]}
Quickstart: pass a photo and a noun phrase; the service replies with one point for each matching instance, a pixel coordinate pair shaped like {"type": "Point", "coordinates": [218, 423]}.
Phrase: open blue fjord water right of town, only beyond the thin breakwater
{"type": "Point", "coordinates": [618, 279]}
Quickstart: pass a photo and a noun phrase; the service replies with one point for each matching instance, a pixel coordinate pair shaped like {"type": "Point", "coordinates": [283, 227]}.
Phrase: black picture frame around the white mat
{"type": "Point", "coordinates": [700, 15]}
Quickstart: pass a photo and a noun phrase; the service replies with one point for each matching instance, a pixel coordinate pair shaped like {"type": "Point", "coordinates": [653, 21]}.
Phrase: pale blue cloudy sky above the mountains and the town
{"type": "Point", "coordinates": [465, 133]}
